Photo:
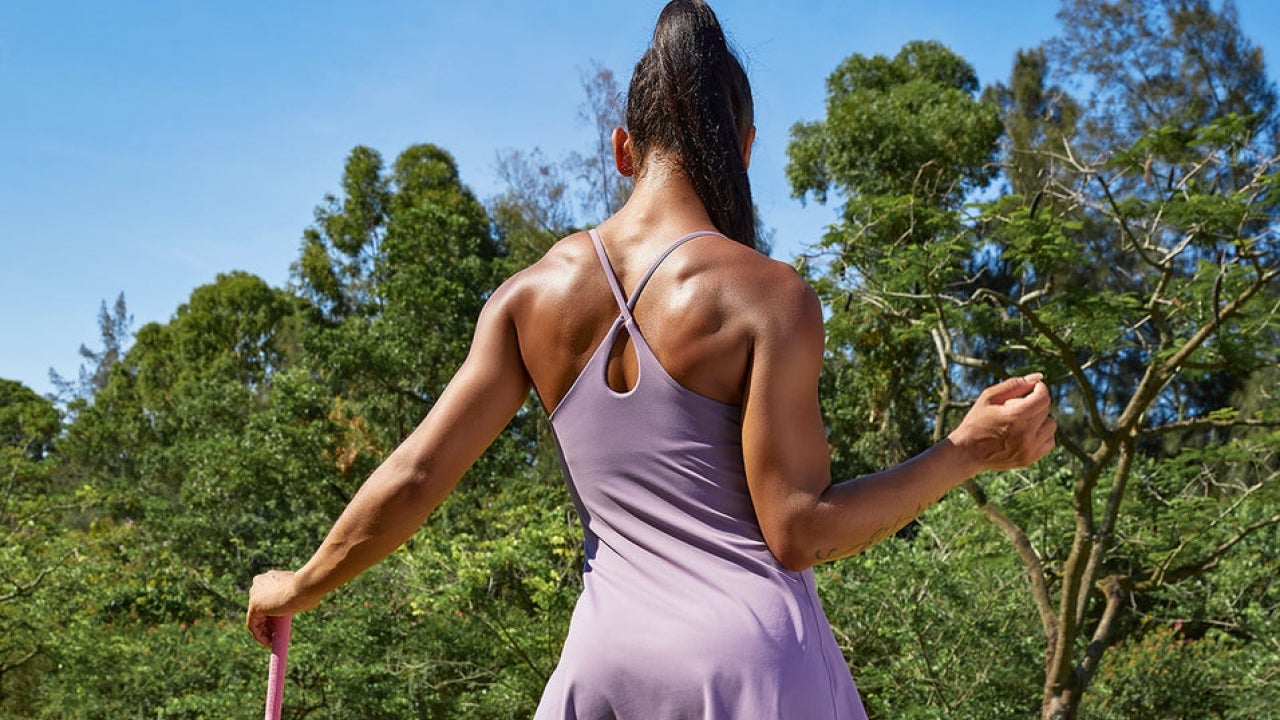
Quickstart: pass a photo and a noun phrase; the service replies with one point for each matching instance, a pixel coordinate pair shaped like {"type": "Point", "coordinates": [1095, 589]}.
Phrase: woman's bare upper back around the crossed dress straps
{"type": "Point", "coordinates": [698, 313]}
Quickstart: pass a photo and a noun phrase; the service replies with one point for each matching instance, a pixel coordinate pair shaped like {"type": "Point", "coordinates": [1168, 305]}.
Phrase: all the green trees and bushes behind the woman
{"type": "Point", "coordinates": [1133, 259]}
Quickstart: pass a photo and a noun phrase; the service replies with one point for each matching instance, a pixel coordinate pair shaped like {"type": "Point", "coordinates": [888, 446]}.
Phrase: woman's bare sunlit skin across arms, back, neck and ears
{"type": "Point", "coordinates": [725, 322]}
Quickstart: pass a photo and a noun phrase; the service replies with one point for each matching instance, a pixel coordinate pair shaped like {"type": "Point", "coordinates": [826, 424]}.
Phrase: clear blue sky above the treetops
{"type": "Point", "coordinates": [145, 148]}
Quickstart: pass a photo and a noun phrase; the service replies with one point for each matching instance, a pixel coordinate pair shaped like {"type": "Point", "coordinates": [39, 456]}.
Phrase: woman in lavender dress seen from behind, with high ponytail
{"type": "Point", "coordinates": [680, 368]}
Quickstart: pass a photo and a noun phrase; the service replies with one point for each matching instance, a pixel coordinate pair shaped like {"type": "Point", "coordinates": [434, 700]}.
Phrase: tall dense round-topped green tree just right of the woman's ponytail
{"type": "Point", "coordinates": [922, 143]}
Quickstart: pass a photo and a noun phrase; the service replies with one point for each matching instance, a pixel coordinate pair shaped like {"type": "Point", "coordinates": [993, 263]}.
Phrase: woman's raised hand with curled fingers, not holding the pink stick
{"type": "Point", "coordinates": [1008, 426]}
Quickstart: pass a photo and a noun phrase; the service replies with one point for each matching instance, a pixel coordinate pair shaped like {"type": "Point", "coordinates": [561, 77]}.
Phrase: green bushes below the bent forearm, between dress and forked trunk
{"type": "Point", "coordinates": [934, 626]}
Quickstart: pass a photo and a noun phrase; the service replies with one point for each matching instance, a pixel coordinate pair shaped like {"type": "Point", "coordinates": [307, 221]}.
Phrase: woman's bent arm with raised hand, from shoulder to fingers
{"type": "Point", "coordinates": [807, 520]}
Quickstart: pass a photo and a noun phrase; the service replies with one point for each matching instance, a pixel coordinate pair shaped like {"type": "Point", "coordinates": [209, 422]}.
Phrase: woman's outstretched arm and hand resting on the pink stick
{"type": "Point", "coordinates": [483, 397]}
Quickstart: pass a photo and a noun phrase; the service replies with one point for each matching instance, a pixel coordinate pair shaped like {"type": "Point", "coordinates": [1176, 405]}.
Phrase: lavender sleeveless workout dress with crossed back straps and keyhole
{"type": "Point", "coordinates": [685, 614]}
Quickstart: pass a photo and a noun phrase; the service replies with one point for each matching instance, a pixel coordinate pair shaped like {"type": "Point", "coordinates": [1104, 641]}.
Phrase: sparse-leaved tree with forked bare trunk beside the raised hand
{"type": "Point", "coordinates": [1149, 306]}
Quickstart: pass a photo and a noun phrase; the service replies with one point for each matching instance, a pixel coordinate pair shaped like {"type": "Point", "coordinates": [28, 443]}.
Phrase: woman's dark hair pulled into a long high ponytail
{"type": "Point", "coordinates": [691, 95]}
